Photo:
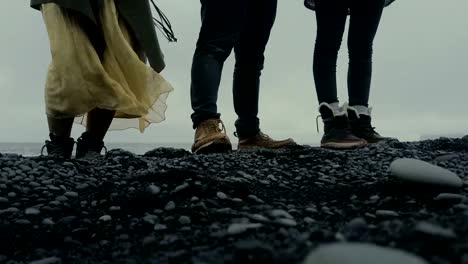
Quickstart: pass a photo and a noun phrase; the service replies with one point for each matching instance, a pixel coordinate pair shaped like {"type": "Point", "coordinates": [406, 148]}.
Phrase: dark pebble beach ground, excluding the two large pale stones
{"type": "Point", "coordinates": [169, 206]}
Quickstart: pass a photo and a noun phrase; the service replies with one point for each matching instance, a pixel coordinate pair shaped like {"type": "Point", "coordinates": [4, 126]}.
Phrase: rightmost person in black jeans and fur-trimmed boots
{"type": "Point", "coordinates": [349, 125]}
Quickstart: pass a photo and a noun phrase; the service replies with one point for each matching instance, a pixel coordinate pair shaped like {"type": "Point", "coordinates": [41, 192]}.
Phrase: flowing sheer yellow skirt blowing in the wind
{"type": "Point", "coordinates": [79, 81]}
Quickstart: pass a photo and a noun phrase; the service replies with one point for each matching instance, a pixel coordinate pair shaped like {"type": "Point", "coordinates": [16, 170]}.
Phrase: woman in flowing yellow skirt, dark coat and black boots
{"type": "Point", "coordinates": [98, 76]}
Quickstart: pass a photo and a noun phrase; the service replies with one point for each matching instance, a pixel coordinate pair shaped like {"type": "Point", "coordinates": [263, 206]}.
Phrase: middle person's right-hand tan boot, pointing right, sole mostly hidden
{"type": "Point", "coordinates": [263, 141]}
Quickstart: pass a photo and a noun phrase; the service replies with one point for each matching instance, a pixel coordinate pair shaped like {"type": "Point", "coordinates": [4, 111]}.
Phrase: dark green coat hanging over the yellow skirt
{"type": "Point", "coordinates": [138, 15]}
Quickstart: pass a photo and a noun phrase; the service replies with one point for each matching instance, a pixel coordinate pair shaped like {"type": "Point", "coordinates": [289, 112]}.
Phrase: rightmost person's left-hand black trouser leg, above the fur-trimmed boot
{"type": "Point", "coordinates": [331, 20]}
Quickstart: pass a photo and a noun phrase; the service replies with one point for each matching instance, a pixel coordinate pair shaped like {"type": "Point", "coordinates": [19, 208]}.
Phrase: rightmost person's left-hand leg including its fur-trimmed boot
{"type": "Point", "coordinates": [331, 20]}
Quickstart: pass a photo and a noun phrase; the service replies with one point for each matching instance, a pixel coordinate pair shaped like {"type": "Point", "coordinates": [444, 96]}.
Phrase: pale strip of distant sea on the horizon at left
{"type": "Point", "coordinates": [34, 149]}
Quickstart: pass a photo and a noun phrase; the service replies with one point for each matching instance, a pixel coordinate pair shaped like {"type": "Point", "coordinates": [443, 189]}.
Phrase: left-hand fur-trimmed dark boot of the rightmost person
{"type": "Point", "coordinates": [338, 134]}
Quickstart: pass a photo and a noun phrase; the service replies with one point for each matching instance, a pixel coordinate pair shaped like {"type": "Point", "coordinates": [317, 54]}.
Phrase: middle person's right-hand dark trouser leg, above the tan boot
{"type": "Point", "coordinates": [259, 17]}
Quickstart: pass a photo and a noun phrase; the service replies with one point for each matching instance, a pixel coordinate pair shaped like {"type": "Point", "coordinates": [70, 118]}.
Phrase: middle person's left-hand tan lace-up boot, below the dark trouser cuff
{"type": "Point", "coordinates": [211, 137]}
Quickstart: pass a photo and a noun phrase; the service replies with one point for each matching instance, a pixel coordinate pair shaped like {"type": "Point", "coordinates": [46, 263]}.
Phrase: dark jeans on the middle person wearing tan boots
{"type": "Point", "coordinates": [242, 25]}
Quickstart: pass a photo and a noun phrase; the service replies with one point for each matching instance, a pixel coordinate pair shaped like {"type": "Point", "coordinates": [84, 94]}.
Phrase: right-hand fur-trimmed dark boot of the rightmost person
{"type": "Point", "coordinates": [360, 121]}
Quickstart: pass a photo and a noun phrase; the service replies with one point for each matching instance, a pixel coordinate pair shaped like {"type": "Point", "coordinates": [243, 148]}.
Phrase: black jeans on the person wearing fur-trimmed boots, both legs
{"type": "Point", "coordinates": [331, 19]}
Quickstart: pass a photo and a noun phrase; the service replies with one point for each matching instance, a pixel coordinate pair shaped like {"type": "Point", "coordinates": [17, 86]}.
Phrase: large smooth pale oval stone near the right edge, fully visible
{"type": "Point", "coordinates": [418, 171]}
